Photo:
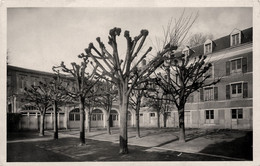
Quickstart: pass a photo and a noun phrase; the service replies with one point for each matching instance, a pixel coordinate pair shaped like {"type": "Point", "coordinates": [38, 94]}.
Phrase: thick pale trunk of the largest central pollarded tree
{"type": "Point", "coordinates": [123, 106]}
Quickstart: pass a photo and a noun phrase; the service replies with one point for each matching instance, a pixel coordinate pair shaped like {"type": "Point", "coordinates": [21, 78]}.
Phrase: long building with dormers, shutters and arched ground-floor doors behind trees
{"type": "Point", "coordinates": [228, 104]}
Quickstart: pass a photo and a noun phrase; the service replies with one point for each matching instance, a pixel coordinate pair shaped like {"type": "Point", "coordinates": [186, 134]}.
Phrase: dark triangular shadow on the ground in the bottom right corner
{"type": "Point", "coordinates": [239, 148]}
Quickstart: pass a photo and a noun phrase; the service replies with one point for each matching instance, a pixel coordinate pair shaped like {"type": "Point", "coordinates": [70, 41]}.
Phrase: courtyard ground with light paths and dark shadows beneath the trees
{"type": "Point", "coordinates": [154, 145]}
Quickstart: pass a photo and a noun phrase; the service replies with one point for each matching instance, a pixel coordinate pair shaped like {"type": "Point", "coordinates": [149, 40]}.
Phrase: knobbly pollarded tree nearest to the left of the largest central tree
{"type": "Point", "coordinates": [85, 80]}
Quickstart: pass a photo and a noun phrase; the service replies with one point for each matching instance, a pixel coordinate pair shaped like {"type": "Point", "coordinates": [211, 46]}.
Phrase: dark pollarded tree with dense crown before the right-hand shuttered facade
{"type": "Point", "coordinates": [185, 75]}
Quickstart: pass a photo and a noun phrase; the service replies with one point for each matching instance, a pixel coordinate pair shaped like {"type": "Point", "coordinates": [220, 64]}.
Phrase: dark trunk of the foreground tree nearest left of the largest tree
{"type": "Point", "coordinates": [82, 120]}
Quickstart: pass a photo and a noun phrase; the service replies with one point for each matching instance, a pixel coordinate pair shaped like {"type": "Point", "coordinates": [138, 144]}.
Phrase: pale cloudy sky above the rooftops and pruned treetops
{"type": "Point", "coordinates": [39, 38]}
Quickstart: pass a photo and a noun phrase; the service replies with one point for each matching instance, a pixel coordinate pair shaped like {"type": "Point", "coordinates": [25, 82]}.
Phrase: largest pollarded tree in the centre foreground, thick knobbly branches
{"type": "Point", "coordinates": [122, 73]}
